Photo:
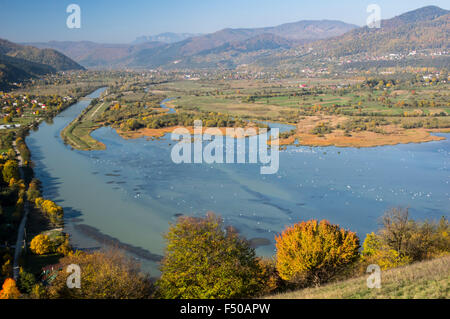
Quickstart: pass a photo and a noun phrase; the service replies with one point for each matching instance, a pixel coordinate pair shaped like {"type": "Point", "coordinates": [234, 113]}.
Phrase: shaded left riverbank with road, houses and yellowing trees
{"type": "Point", "coordinates": [19, 210]}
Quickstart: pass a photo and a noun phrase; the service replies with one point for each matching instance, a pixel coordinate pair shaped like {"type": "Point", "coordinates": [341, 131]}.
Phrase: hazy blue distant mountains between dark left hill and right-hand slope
{"type": "Point", "coordinates": [164, 52]}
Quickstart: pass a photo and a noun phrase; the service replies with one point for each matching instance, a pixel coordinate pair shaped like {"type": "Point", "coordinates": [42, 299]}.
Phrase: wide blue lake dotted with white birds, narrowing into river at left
{"type": "Point", "coordinates": [133, 190]}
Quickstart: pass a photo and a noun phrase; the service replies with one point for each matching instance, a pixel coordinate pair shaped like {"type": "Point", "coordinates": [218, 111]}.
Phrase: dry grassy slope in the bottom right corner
{"type": "Point", "coordinates": [428, 279]}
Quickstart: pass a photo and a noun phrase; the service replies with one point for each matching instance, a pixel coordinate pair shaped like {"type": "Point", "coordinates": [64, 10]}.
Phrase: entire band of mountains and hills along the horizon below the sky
{"type": "Point", "coordinates": [284, 46]}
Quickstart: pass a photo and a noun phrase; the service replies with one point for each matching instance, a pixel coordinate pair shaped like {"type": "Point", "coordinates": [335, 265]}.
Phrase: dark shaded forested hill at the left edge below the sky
{"type": "Point", "coordinates": [19, 62]}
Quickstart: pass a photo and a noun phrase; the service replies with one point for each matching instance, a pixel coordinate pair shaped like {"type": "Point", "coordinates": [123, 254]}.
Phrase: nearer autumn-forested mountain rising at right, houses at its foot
{"type": "Point", "coordinates": [426, 28]}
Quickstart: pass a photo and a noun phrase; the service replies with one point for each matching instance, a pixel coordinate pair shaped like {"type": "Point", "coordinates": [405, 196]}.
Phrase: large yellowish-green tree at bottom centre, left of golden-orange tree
{"type": "Point", "coordinates": [205, 260]}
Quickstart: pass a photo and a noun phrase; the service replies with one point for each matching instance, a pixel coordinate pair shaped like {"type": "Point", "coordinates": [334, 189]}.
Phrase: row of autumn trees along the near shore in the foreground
{"type": "Point", "coordinates": [206, 259]}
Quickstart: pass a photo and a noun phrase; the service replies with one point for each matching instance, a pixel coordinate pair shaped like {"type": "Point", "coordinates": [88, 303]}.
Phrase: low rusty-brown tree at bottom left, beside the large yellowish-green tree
{"type": "Point", "coordinates": [104, 275]}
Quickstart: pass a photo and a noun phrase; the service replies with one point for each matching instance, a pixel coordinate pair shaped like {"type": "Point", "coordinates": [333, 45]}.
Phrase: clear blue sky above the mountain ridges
{"type": "Point", "coordinates": [114, 21]}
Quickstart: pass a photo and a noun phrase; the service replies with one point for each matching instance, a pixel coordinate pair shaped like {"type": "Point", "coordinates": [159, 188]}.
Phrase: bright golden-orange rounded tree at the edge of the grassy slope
{"type": "Point", "coordinates": [314, 252]}
